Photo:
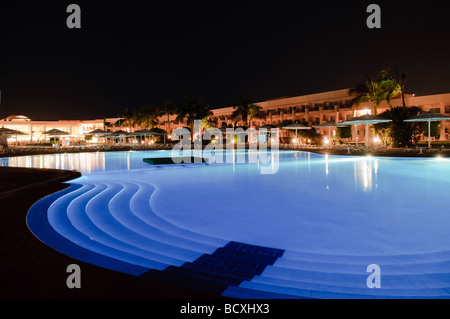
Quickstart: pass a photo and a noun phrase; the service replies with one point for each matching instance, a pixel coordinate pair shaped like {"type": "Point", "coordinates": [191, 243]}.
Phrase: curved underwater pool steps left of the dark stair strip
{"type": "Point", "coordinates": [88, 214]}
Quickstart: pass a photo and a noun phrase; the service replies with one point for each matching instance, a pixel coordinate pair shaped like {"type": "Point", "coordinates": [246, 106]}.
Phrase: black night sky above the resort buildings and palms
{"type": "Point", "coordinates": [131, 53]}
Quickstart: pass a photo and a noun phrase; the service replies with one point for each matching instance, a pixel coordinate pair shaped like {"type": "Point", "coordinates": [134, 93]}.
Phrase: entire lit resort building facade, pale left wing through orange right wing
{"type": "Point", "coordinates": [313, 109]}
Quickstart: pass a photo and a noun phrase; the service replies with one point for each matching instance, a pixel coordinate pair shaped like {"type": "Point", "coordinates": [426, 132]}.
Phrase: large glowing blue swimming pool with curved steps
{"type": "Point", "coordinates": [309, 230]}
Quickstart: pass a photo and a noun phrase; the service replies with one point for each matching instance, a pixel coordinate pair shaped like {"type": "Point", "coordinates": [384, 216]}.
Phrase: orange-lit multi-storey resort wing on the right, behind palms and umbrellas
{"type": "Point", "coordinates": [335, 106]}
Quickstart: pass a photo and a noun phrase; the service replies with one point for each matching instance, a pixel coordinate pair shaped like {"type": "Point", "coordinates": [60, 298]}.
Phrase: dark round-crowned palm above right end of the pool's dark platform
{"type": "Point", "coordinates": [191, 109]}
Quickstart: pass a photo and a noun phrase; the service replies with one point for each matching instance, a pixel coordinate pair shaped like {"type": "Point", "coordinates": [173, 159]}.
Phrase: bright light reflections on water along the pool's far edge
{"type": "Point", "coordinates": [363, 171]}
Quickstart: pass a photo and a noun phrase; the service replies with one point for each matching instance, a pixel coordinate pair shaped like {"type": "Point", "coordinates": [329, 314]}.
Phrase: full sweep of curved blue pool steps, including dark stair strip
{"type": "Point", "coordinates": [114, 221]}
